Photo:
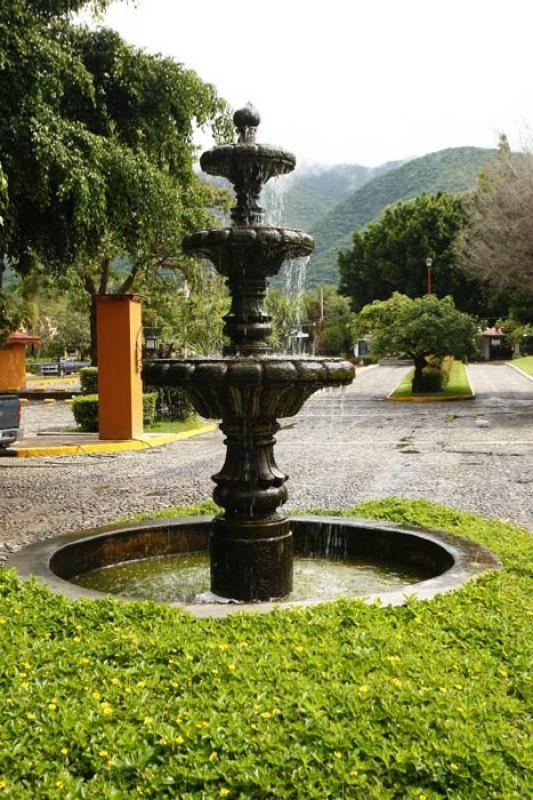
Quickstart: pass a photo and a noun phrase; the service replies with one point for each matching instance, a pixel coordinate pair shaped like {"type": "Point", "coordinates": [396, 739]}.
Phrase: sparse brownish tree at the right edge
{"type": "Point", "coordinates": [497, 245]}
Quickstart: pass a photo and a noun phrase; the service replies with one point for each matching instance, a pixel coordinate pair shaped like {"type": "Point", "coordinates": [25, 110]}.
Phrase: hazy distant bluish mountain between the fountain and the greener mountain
{"type": "Point", "coordinates": [312, 192]}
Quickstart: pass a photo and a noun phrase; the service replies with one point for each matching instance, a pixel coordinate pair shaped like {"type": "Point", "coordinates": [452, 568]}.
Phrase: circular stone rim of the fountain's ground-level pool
{"type": "Point", "coordinates": [469, 560]}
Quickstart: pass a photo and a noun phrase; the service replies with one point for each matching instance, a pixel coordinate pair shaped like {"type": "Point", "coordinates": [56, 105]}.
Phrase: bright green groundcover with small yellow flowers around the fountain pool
{"type": "Point", "coordinates": [117, 700]}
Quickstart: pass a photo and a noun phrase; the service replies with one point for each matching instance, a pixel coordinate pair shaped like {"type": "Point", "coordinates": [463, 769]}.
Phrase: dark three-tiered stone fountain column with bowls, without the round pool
{"type": "Point", "coordinates": [247, 388]}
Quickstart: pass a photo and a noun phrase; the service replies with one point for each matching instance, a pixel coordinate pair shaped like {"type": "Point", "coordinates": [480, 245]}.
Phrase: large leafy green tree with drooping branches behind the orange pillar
{"type": "Point", "coordinates": [96, 142]}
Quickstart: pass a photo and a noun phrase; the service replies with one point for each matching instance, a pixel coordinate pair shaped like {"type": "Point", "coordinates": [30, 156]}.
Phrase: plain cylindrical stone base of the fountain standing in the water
{"type": "Point", "coordinates": [251, 559]}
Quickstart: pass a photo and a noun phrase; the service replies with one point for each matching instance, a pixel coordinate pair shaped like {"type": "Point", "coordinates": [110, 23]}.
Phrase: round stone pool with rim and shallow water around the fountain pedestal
{"type": "Point", "coordinates": [335, 557]}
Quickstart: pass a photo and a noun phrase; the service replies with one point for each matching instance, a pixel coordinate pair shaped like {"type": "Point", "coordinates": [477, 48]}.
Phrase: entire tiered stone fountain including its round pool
{"type": "Point", "coordinates": [251, 544]}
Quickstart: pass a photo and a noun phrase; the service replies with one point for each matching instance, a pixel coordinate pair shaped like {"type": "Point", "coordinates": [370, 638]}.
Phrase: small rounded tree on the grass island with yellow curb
{"type": "Point", "coordinates": [421, 328]}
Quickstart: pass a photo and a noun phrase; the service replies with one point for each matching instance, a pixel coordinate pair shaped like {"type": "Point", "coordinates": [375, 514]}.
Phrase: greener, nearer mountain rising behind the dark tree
{"type": "Point", "coordinates": [452, 170]}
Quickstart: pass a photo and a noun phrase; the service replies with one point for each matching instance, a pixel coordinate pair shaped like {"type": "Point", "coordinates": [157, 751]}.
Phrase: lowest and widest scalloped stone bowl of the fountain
{"type": "Point", "coordinates": [269, 386]}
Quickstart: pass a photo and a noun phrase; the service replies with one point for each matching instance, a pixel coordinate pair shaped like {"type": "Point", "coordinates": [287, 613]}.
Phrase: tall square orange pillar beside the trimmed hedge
{"type": "Point", "coordinates": [119, 338]}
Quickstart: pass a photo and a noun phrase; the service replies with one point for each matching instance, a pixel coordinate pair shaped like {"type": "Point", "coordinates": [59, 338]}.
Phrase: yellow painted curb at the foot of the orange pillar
{"type": "Point", "coordinates": [145, 442]}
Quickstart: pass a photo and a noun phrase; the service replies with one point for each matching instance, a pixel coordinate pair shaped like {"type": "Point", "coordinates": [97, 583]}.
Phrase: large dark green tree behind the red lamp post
{"type": "Point", "coordinates": [390, 255]}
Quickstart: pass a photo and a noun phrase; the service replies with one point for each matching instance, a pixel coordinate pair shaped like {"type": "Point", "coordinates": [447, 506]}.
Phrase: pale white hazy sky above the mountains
{"type": "Point", "coordinates": [362, 81]}
